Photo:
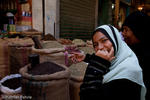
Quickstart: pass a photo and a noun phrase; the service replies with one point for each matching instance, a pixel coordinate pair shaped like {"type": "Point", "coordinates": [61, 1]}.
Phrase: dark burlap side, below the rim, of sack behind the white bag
{"type": "Point", "coordinates": [18, 57]}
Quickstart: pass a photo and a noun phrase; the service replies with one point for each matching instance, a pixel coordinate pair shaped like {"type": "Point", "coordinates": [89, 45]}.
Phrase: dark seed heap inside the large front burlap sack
{"type": "Point", "coordinates": [45, 68]}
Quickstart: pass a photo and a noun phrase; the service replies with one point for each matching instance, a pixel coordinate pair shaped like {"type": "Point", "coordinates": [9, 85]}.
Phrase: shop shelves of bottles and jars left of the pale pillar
{"type": "Point", "coordinates": [15, 16]}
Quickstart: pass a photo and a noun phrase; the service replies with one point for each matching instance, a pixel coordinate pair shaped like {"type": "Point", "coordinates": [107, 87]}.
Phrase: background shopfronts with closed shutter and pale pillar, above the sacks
{"type": "Point", "coordinates": [65, 18]}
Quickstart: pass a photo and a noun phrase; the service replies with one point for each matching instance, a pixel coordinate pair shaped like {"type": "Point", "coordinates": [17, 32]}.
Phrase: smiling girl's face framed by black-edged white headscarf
{"type": "Point", "coordinates": [101, 42]}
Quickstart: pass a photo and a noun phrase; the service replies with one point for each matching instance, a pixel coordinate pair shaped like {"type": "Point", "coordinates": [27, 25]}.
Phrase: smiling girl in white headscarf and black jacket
{"type": "Point", "coordinates": [113, 72]}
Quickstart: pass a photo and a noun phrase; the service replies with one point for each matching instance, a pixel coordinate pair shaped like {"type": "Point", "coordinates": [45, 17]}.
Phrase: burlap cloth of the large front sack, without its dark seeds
{"type": "Point", "coordinates": [46, 87]}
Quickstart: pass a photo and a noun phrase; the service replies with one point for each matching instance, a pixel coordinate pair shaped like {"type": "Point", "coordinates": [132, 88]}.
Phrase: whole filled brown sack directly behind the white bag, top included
{"type": "Point", "coordinates": [18, 54]}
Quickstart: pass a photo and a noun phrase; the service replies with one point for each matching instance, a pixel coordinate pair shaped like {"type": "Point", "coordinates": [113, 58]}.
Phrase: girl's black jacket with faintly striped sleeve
{"type": "Point", "coordinates": [93, 88]}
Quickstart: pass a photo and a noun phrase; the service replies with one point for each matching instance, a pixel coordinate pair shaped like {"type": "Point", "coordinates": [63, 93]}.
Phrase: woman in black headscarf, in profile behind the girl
{"type": "Point", "coordinates": [136, 30]}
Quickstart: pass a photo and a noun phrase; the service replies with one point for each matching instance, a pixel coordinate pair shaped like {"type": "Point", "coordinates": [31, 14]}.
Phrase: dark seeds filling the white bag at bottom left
{"type": "Point", "coordinates": [12, 83]}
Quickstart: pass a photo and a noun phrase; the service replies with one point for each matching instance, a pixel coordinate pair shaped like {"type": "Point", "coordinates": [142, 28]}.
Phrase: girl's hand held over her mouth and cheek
{"type": "Point", "coordinates": [105, 54]}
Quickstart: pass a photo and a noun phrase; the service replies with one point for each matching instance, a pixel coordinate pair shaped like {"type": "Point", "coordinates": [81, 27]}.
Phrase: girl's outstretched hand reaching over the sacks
{"type": "Point", "coordinates": [77, 57]}
